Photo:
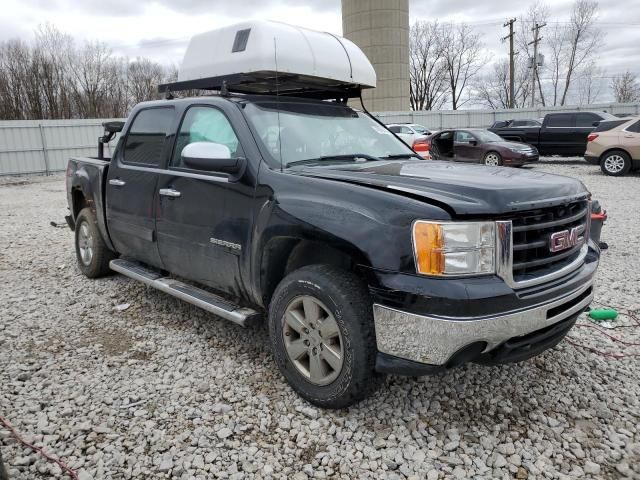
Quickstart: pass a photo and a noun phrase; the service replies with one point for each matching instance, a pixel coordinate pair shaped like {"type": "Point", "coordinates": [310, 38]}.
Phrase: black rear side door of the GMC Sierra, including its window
{"type": "Point", "coordinates": [131, 184]}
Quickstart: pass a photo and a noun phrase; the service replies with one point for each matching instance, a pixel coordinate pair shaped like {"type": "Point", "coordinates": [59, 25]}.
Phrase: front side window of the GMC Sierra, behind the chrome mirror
{"type": "Point", "coordinates": [205, 124]}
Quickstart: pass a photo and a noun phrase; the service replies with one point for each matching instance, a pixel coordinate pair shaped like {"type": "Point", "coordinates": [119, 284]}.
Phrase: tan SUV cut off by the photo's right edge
{"type": "Point", "coordinates": [615, 146]}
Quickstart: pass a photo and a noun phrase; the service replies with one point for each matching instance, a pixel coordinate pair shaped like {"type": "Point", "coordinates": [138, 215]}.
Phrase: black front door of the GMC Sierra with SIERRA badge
{"type": "Point", "coordinates": [204, 218]}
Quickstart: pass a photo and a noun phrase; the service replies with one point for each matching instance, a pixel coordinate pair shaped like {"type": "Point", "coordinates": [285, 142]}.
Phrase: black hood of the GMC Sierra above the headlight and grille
{"type": "Point", "coordinates": [465, 189]}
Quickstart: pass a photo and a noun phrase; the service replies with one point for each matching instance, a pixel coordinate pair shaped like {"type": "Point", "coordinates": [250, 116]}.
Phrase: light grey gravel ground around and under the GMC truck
{"type": "Point", "coordinates": [125, 382]}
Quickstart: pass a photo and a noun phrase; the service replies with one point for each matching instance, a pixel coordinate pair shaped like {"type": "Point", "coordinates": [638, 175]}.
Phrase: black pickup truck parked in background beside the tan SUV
{"type": "Point", "coordinates": [561, 133]}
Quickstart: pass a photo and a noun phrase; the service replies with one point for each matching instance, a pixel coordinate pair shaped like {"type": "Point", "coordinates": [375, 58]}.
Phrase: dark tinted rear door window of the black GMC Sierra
{"type": "Point", "coordinates": [147, 136]}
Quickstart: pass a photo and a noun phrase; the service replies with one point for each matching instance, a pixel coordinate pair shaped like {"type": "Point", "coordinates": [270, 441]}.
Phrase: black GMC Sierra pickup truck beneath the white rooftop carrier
{"type": "Point", "coordinates": [363, 258]}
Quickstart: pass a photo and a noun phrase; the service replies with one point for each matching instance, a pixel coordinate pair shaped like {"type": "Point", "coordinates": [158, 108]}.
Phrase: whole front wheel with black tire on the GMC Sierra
{"type": "Point", "coordinates": [345, 298]}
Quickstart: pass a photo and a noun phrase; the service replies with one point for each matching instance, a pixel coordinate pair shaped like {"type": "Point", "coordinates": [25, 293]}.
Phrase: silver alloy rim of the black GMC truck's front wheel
{"type": "Point", "coordinates": [312, 340]}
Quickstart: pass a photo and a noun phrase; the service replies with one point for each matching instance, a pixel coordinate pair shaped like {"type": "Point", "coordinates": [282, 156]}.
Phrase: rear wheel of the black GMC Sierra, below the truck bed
{"type": "Point", "coordinates": [92, 253]}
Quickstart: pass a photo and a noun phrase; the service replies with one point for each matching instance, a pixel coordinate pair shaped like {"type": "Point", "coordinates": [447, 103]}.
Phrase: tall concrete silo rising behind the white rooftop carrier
{"type": "Point", "coordinates": [381, 29]}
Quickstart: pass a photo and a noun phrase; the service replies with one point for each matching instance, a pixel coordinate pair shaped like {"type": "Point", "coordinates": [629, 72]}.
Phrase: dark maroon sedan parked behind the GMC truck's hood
{"type": "Point", "coordinates": [476, 145]}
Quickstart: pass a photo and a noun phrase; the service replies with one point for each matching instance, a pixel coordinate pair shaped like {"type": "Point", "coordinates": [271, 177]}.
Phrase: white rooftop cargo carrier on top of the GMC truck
{"type": "Point", "coordinates": [272, 57]}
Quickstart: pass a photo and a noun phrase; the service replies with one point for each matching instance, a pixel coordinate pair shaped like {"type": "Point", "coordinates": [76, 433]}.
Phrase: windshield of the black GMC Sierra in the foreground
{"type": "Point", "coordinates": [298, 132]}
